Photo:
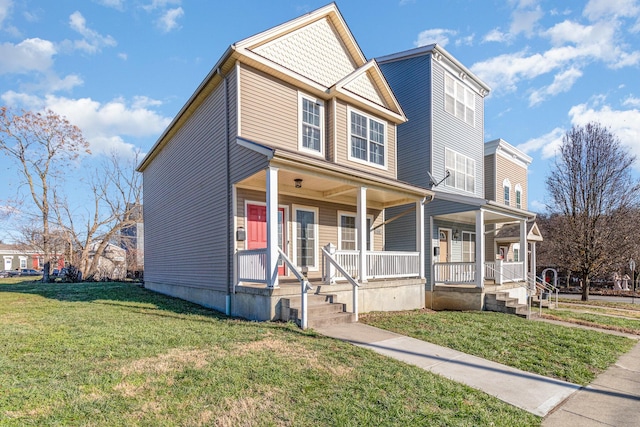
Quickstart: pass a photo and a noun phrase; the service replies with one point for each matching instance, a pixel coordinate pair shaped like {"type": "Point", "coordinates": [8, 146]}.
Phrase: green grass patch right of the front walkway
{"type": "Point", "coordinates": [570, 354]}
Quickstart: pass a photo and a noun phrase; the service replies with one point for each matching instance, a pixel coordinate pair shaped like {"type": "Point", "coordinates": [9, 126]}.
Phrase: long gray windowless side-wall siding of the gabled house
{"type": "Point", "coordinates": [185, 204]}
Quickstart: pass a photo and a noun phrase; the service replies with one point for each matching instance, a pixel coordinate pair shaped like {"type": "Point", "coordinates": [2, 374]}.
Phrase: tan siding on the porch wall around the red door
{"type": "Point", "coordinates": [328, 219]}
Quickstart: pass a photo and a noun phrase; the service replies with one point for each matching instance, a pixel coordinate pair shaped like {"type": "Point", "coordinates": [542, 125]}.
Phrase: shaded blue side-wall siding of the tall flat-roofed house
{"type": "Point", "coordinates": [410, 81]}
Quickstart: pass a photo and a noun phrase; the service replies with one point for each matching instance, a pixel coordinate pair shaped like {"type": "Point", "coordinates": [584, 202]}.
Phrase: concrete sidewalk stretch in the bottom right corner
{"type": "Point", "coordinates": [612, 399]}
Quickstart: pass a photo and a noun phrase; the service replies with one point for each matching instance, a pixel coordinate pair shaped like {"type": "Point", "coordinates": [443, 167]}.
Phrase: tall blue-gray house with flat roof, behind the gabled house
{"type": "Point", "coordinates": [441, 147]}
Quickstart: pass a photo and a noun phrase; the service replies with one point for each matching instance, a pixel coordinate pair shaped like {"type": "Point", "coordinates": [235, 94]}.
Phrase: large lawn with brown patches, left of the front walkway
{"type": "Point", "coordinates": [115, 354]}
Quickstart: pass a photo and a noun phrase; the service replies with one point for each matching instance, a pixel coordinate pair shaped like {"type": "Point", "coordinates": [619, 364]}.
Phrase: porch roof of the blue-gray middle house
{"type": "Point", "coordinates": [467, 206]}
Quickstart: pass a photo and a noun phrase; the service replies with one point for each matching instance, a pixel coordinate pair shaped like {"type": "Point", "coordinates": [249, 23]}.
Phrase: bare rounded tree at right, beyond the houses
{"type": "Point", "coordinates": [593, 195]}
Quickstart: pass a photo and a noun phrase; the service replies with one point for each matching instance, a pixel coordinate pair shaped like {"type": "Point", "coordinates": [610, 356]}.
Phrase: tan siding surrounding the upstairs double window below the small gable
{"type": "Point", "coordinates": [342, 146]}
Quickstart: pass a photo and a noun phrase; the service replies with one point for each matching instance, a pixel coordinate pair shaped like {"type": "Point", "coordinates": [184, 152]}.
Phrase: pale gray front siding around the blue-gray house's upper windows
{"type": "Point", "coordinates": [451, 132]}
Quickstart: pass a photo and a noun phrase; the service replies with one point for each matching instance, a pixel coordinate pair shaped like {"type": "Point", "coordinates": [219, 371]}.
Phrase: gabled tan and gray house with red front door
{"type": "Point", "coordinates": [286, 150]}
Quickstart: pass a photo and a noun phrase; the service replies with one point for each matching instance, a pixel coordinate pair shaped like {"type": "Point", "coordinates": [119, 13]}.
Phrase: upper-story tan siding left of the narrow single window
{"type": "Point", "coordinates": [269, 109]}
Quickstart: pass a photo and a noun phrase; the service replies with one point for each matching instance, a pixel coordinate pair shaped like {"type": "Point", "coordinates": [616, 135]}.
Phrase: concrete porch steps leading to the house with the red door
{"type": "Point", "coordinates": [321, 311]}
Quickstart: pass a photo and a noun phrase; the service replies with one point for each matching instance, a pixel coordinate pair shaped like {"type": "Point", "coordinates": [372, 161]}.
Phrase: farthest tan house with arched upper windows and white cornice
{"type": "Point", "coordinates": [505, 170]}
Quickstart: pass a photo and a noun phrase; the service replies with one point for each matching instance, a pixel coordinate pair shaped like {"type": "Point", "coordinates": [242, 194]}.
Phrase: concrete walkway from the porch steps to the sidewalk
{"type": "Point", "coordinates": [533, 393]}
